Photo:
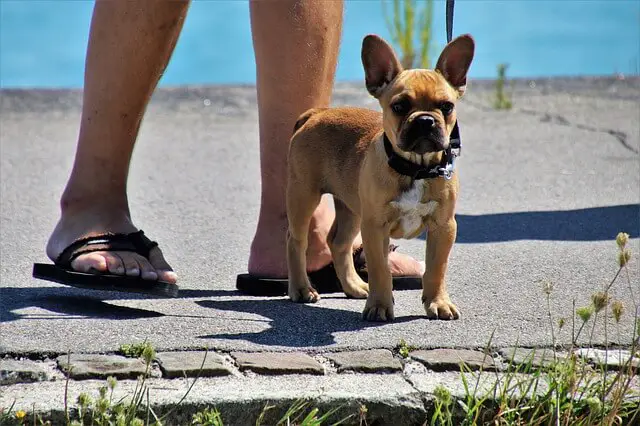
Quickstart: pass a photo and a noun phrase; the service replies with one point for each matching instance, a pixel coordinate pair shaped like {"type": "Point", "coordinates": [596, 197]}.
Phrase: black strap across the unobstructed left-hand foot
{"type": "Point", "coordinates": [135, 242]}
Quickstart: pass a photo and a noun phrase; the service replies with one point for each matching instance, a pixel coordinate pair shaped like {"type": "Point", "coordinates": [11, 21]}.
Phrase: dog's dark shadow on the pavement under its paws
{"type": "Point", "coordinates": [294, 324]}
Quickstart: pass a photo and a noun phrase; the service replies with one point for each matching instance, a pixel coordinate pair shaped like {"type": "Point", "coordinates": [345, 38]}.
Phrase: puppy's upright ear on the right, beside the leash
{"type": "Point", "coordinates": [455, 60]}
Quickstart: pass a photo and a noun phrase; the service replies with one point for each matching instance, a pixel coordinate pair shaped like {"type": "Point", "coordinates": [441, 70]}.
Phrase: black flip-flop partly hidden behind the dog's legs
{"type": "Point", "coordinates": [324, 280]}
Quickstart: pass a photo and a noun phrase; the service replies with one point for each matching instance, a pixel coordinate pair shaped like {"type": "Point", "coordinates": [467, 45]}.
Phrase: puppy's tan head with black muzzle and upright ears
{"type": "Point", "coordinates": [418, 105]}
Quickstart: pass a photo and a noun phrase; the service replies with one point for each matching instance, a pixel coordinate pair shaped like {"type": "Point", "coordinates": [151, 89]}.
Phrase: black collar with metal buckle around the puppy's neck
{"type": "Point", "coordinates": [416, 172]}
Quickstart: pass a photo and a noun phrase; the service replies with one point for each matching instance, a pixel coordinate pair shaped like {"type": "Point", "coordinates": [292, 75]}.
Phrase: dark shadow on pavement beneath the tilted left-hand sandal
{"type": "Point", "coordinates": [80, 303]}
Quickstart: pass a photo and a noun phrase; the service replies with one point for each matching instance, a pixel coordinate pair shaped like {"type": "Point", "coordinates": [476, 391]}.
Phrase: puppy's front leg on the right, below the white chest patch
{"type": "Point", "coordinates": [440, 239]}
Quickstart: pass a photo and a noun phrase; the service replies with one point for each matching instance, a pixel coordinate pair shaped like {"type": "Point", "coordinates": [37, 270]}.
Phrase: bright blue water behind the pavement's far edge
{"type": "Point", "coordinates": [43, 43]}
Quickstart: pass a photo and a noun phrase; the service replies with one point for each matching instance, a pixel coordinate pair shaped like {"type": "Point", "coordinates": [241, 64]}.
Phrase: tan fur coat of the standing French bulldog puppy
{"type": "Point", "coordinates": [340, 151]}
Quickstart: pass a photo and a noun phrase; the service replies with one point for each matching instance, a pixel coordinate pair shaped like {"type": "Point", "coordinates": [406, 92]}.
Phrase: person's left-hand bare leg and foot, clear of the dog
{"type": "Point", "coordinates": [130, 45]}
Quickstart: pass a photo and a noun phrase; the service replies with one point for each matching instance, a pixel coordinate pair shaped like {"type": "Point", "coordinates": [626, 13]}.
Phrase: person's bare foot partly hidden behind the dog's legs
{"type": "Point", "coordinates": [267, 257]}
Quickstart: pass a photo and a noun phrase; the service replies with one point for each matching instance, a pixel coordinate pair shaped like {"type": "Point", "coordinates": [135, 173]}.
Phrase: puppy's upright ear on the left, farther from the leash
{"type": "Point", "coordinates": [381, 65]}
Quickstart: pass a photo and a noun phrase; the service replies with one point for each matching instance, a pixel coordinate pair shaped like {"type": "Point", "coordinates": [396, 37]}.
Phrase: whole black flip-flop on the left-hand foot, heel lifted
{"type": "Point", "coordinates": [62, 272]}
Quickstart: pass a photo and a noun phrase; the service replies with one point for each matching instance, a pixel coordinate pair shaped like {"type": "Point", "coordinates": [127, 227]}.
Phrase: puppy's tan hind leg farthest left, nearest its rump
{"type": "Point", "coordinates": [301, 203]}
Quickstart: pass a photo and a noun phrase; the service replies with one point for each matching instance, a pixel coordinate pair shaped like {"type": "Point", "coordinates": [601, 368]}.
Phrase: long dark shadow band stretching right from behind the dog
{"type": "Point", "coordinates": [592, 224]}
